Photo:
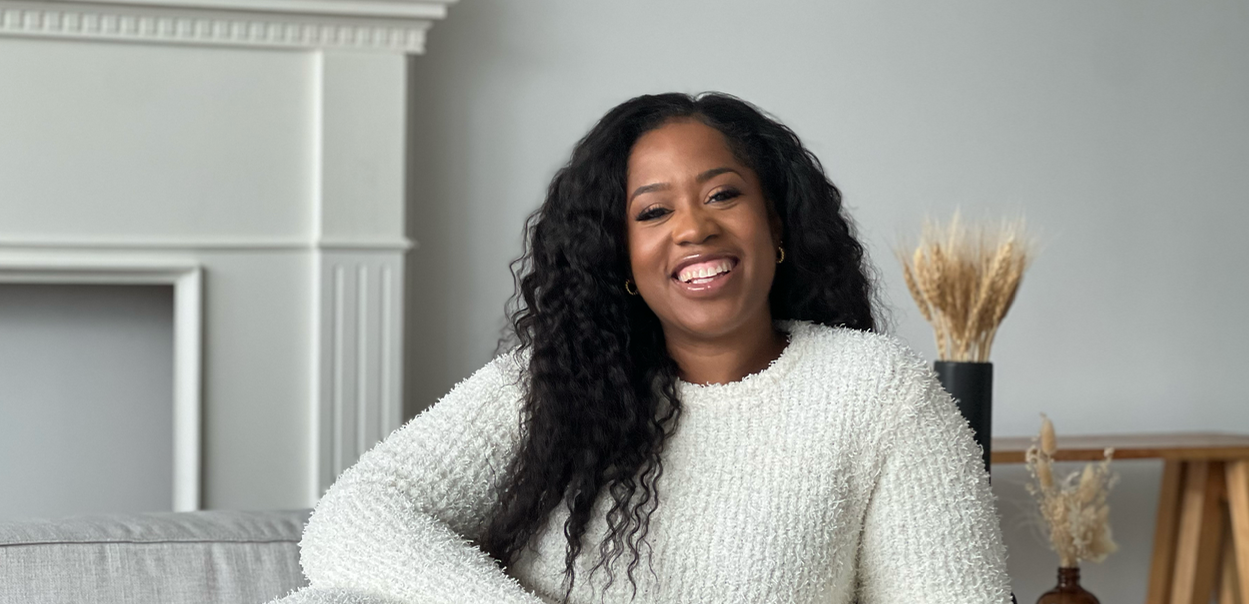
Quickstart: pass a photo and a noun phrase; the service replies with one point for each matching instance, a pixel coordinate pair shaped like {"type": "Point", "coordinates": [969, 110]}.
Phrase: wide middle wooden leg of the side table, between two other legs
{"type": "Point", "coordinates": [1201, 531]}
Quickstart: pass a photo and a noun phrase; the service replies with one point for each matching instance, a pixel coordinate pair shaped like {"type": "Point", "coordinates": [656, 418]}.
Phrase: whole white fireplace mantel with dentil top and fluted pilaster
{"type": "Point", "coordinates": [263, 143]}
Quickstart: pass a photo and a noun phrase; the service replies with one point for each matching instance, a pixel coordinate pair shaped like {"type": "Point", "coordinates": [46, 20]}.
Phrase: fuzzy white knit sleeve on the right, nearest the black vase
{"type": "Point", "coordinates": [931, 532]}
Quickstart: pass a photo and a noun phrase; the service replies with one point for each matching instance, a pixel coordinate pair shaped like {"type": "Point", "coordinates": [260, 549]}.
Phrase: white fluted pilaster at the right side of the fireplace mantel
{"type": "Point", "coordinates": [360, 150]}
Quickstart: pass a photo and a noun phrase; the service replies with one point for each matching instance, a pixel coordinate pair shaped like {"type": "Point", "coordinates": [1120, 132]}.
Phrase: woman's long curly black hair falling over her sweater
{"type": "Point", "coordinates": [600, 390]}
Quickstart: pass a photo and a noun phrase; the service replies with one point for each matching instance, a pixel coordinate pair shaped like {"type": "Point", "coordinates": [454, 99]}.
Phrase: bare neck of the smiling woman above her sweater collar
{"type": "Point", "coordinates": [729, 358]}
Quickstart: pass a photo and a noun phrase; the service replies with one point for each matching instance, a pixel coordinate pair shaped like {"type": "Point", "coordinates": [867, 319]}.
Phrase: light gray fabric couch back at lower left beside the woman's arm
{"type": "Point", "coordinates": [160, 558]}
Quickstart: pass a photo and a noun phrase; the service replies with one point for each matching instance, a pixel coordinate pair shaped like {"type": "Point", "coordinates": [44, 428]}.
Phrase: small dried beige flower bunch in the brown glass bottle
{"type": "Point", "coordinates": [1074, 509]}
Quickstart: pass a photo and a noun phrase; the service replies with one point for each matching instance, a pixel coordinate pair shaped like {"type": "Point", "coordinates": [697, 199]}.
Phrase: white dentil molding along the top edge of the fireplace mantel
{"type": "Point", "coordinates": [369, 26]}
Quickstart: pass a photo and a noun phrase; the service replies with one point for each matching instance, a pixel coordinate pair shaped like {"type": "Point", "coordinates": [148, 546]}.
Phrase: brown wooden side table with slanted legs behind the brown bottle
{"type": "Point", "coordinates": [1206, 484]}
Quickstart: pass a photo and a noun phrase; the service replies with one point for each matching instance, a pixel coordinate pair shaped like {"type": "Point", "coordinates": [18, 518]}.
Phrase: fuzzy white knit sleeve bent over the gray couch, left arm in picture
{"type": "Point", "coordinates": [399, 524]}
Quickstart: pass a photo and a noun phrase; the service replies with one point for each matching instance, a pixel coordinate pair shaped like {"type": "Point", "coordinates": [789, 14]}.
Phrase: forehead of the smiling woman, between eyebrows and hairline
{"type": "Point", "coordinates": [676, 149]}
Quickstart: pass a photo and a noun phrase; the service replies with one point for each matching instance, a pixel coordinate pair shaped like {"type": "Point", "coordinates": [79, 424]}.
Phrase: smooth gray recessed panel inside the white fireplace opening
{"type": "Point", "coordinates": [87, 386]}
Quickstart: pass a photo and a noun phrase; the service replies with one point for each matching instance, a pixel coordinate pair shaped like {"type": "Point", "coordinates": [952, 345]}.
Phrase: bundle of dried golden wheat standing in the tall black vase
{"type": "Point", "coordinates": [965, 280]}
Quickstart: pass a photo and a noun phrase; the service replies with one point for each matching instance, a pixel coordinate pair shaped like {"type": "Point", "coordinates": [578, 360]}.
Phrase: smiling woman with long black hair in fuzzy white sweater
{"type": "Point", "coordinates": [699, 409]}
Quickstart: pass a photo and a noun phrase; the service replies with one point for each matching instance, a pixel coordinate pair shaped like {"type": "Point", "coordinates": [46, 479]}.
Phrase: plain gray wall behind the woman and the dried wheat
{"type": "Point", "coordinates": [1118, 128]}
